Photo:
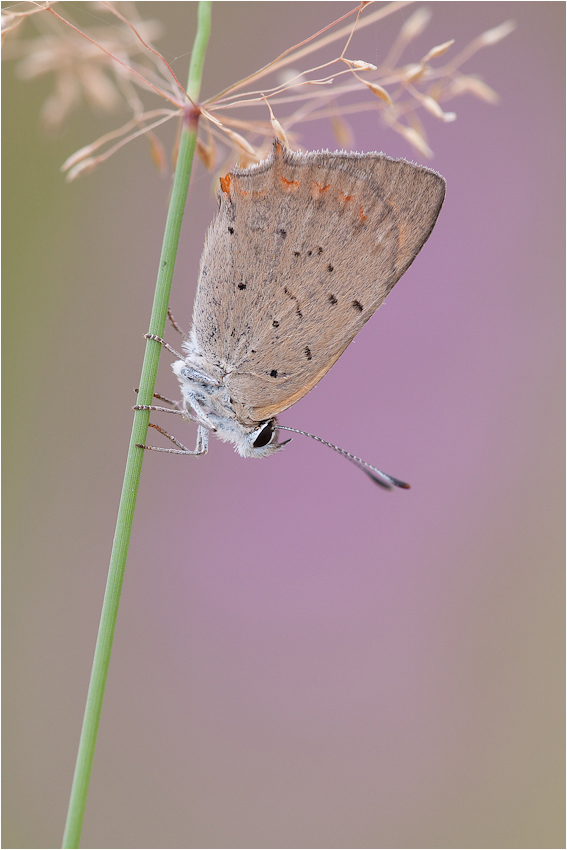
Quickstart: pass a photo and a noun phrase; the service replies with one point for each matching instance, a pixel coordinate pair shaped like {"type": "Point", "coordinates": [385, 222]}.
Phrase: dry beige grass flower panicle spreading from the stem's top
{"type": "Point", "coordinates": [115, 66]}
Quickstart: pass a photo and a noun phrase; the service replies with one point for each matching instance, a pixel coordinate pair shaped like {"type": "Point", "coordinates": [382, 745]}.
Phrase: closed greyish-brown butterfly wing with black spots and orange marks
{"type": "Point", "coordinates": [303, 250]}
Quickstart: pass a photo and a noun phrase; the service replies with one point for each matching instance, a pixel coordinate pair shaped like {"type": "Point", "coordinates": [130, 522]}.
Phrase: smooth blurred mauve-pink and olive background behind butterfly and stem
{"type": "Point", "coordinates": [301, 659]}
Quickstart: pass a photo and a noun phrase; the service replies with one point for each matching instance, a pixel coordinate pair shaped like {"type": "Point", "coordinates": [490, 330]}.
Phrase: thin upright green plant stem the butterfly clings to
{"type": "Point", "coordinates": [125, 517]}
